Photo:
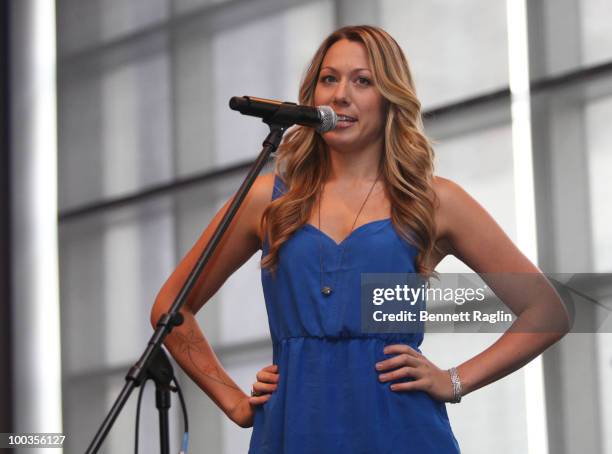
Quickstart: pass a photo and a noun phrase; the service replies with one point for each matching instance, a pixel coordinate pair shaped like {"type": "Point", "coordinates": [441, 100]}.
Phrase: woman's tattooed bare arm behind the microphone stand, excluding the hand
{"type": "Point", "coordinates": [187, 343]}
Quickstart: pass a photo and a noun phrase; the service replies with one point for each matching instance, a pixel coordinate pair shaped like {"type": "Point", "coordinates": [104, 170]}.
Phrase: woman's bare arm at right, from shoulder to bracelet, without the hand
{"type": "Point", "coordinates": [475, 238]}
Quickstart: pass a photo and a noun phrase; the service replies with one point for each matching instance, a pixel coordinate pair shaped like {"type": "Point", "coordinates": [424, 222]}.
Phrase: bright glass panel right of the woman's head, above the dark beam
{"type": "Point", "coordinates": [442, 41]}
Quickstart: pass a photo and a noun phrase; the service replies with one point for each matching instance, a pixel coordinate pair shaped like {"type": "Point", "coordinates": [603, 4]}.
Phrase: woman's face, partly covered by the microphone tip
{"type": "Point", "coordinates": [346, 84]}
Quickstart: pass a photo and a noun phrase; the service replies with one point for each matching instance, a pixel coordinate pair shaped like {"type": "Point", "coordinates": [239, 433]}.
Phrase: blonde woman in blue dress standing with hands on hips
{"type": "Point", "coordinates": [361, 198]}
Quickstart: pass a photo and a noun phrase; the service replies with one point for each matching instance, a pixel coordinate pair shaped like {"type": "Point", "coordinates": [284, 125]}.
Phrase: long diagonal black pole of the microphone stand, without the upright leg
{"type": "Point", "coordinates": [174, 318]}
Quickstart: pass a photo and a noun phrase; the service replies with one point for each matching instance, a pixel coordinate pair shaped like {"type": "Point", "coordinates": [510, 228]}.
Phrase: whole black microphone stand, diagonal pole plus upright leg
{"type": "Point", "coordinates": [150, 364]}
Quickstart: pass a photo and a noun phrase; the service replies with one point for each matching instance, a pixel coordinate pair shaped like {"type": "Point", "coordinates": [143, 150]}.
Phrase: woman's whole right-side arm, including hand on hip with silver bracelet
{"type": "Point", "coordinates": [467, 231]}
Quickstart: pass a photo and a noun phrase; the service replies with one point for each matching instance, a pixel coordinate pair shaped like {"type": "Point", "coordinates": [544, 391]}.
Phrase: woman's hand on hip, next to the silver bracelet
{"type": "Point", "coordinates": [408, 363]}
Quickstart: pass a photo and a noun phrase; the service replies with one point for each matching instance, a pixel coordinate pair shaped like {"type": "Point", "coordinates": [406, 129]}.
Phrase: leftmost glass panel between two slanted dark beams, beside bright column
{"type": "Point", "coordinates": [114, 124]}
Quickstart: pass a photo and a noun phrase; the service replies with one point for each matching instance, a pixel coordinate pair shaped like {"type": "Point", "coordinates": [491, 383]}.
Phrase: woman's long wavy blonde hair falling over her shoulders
{"type": "Point", "coordinates": [406, 166]}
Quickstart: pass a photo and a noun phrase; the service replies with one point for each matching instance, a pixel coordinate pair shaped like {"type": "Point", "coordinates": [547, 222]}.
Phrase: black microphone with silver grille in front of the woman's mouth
{"type": "Point", "coordinates": [322, 118]}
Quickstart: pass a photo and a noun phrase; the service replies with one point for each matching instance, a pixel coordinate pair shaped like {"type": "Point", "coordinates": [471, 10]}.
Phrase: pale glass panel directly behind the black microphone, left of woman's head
{"type": "Point", "coordinates": [248, 59]}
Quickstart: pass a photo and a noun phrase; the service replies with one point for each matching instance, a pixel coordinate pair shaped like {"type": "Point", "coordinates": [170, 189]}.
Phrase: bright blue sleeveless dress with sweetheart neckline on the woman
{"type": "Point", "coordinates": [329, 399]}
